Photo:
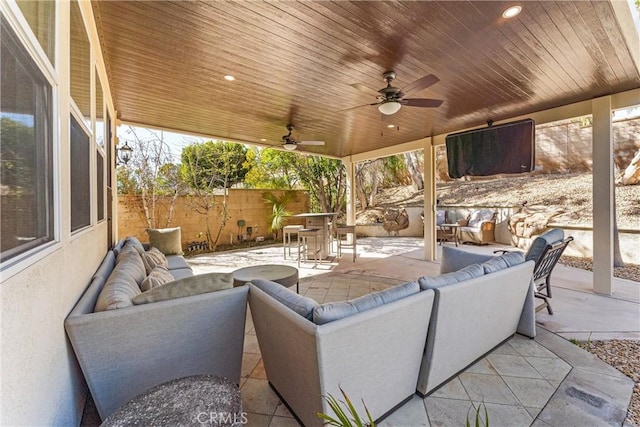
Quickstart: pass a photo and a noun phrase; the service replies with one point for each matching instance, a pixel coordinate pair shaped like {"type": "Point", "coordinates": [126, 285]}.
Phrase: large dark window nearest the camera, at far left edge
{"type": "Point", "coordinates": [26, 150]}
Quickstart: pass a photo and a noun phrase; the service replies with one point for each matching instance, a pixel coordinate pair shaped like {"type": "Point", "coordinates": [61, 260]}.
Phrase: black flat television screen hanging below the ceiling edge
{"type": "Point", "coordinates": [505, 148]}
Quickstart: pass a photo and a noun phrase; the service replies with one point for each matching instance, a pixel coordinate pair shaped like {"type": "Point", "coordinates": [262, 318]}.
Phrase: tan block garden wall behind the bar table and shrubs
{"type": "Point", "coordinates": [242, 204]}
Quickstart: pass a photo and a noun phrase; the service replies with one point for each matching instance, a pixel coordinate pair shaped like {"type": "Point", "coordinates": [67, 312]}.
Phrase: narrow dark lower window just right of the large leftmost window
{"type": "Point", "coordinates": [80, 178]}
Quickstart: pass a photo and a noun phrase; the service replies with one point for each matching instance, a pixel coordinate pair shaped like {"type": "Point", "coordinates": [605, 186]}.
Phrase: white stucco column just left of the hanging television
{"type": "Point", "coordinates": [430, 252]}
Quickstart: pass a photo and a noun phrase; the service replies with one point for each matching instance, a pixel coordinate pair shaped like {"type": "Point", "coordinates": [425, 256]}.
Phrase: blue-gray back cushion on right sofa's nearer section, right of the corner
{"type": "Point", "coordinates": [329, 312]}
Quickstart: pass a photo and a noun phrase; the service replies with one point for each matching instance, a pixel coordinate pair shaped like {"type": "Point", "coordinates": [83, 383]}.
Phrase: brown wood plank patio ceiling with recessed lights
{"type": "Point", "coordinates": [298, 62]}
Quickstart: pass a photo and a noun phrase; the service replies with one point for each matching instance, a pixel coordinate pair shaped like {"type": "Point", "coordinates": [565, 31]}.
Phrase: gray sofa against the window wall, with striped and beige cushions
{"type": "Point", "coordinates": [125, 349]}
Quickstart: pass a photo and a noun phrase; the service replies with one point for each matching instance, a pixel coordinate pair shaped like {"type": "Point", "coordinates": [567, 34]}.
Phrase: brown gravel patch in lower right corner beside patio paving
{"type": "Point", "coordinates": [624, 355]}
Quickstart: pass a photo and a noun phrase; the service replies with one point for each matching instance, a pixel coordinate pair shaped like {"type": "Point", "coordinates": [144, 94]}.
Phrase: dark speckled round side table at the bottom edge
{"type": "Point", "coordinates": [198, 400]}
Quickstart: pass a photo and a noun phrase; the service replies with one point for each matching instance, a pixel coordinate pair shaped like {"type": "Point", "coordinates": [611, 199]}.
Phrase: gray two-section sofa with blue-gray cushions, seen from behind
{"type": "Point", "coordinates": [383, 347]}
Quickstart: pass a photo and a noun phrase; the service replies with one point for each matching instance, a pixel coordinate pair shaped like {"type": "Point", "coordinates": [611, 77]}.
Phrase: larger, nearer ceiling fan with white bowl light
{"type": "Point", "coordinates": [390, 98]}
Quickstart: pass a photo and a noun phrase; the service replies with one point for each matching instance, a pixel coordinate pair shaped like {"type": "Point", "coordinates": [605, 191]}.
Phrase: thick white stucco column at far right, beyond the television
{"type": "Point", "coordinates": [603, 200]}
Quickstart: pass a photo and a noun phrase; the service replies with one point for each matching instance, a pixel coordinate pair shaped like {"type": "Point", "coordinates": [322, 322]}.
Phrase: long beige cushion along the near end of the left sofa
{"type": "Point", "coordinates": [193, 285]}
